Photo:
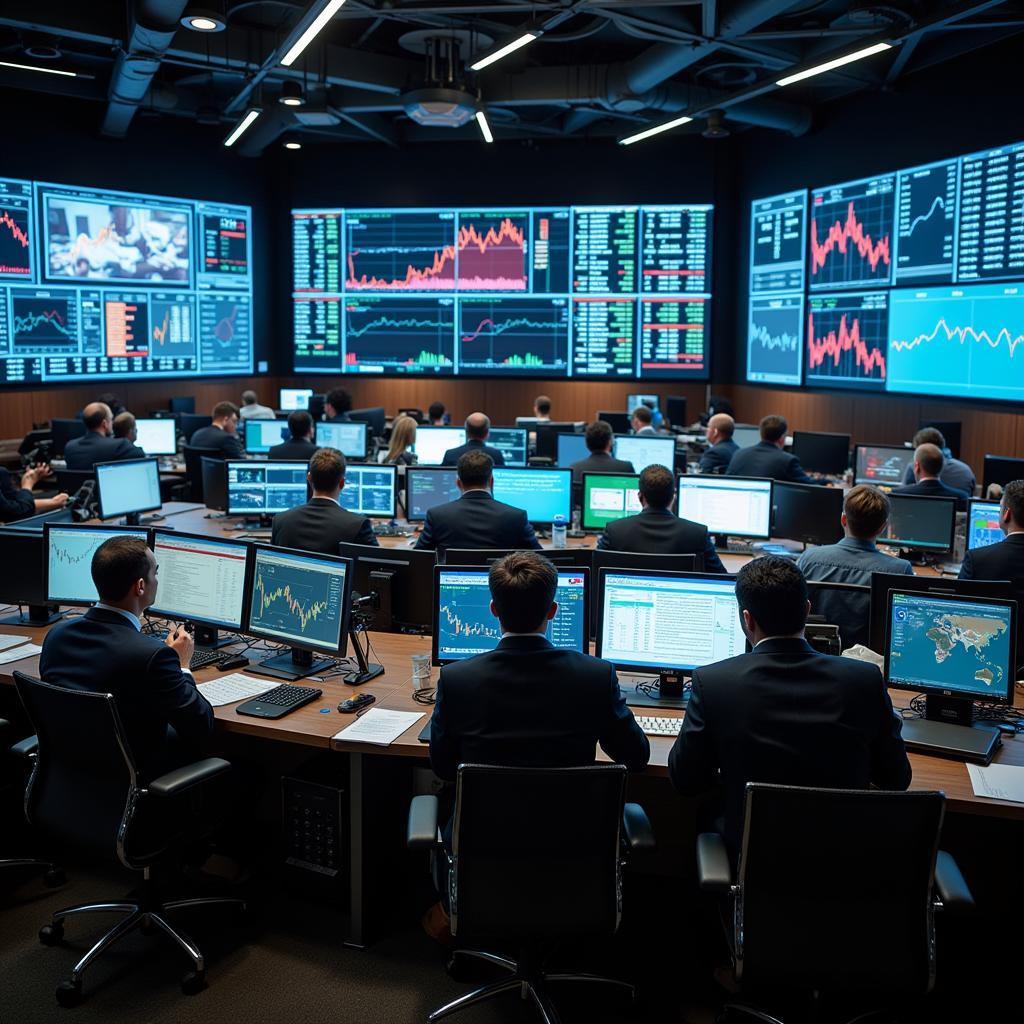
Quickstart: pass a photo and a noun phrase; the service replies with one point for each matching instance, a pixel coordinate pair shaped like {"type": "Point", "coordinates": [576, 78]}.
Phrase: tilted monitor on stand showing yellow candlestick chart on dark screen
{"type": "Point", "coordinates": [303, 601]}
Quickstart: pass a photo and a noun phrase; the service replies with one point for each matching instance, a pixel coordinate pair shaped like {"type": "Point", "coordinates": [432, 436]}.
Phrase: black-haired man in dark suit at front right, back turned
{"type": "Point", "coordinates": [785, 714]}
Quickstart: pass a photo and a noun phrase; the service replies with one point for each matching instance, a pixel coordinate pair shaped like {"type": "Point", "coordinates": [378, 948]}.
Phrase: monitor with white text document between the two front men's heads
{"type": "Point", "coordinates": [658, 622]}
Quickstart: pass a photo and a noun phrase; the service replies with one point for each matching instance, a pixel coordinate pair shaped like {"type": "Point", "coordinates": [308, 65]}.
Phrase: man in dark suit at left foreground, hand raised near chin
{"type": "Point", "coordinates": [165, 716]}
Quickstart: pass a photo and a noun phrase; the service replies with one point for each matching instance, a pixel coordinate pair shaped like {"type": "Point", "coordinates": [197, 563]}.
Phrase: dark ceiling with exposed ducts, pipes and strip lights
{"type": "Point", "coordinates": [602, 68]}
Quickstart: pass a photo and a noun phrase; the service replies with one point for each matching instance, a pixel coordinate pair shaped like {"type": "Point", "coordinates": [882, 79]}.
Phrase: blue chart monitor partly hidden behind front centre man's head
{"type": "Point", "coordinates": [465, 627]}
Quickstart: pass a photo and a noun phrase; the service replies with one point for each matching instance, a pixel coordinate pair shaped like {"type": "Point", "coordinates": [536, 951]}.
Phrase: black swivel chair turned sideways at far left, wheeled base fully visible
{"type": "Point", "coordinates": [86, 791]}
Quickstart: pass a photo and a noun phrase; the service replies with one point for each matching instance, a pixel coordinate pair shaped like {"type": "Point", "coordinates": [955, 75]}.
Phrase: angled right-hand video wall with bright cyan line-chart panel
{"type": "Point", "coordinates": [910, 282]}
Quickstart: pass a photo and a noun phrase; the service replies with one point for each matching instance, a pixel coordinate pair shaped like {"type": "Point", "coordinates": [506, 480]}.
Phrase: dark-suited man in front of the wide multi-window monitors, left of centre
{"type": "Point", "coordinates": [322, 524]}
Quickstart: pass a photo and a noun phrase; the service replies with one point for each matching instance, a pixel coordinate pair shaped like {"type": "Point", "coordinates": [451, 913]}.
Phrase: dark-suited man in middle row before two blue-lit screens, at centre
{"type": "Point", "coordinates": [476, 520]}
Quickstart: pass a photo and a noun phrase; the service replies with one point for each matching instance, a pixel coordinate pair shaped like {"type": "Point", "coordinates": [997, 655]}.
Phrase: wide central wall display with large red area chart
{"type": "Point", "coordinates": [588, 292]}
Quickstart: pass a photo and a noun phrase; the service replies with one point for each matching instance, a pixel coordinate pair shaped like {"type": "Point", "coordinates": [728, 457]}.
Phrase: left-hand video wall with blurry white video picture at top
{"type": "Point", "coordinates": [100, 284]}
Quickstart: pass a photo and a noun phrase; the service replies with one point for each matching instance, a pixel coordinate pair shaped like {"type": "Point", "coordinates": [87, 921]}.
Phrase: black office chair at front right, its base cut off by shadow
{"type": "Point", "coordinates": [836, 893]}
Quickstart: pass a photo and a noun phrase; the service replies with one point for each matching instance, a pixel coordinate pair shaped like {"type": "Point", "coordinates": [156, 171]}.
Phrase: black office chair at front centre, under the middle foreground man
{"type": "Point", "coordinates": [537, 858]}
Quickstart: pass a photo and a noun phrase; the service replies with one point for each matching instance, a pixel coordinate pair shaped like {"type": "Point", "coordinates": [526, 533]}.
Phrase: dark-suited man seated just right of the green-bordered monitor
{"type": "Point", "coordinates": [657, 530]}
